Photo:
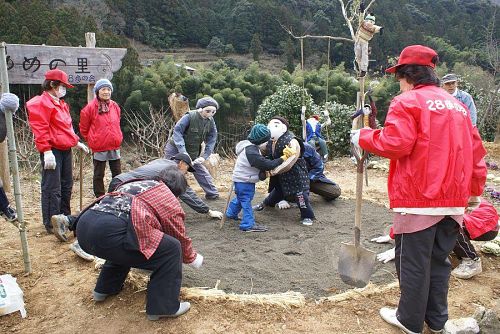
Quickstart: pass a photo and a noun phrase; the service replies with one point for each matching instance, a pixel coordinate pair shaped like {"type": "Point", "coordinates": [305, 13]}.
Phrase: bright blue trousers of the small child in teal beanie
{"type": "Point", "coordinates": [243, 200]}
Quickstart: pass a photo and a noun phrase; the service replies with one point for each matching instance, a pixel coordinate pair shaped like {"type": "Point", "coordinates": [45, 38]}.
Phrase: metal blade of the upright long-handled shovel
{"type": "Point", "coordinates": [356, 265]}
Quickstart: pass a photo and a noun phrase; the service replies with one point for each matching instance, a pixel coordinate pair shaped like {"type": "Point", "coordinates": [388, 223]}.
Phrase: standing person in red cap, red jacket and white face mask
{"type": "Point", "coordinates": [52, 127]}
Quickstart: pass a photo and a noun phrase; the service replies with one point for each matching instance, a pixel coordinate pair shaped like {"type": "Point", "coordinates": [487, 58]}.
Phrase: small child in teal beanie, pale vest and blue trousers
{"type": "Point", "coordinates": [249, 164]}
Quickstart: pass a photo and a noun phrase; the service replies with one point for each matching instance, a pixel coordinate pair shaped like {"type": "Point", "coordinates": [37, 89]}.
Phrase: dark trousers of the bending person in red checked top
{"type": "Point", "coordinates": [113, 239]}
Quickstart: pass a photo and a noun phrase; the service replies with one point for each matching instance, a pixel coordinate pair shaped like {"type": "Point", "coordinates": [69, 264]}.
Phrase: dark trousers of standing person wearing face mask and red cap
{"type": "Point", "coordinates": [57, 185]}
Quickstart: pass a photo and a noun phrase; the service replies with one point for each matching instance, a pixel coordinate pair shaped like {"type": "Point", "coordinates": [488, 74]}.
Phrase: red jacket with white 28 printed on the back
{"type": "Point", "coordinates": [436, 154]}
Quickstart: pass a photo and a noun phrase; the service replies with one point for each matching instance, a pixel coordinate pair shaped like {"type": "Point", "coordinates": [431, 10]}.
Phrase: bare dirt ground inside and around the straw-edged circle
{"type": "Point", "coordinates": [288, 257]}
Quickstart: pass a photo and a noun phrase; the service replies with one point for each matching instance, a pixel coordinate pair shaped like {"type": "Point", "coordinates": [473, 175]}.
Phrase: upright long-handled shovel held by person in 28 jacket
{"type": "Point", "coordinates": [355, 262]}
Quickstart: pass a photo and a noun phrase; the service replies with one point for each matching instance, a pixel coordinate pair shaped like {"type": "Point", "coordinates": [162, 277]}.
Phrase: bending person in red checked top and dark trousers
{"type": "Point", "coordinates": [141, 225]}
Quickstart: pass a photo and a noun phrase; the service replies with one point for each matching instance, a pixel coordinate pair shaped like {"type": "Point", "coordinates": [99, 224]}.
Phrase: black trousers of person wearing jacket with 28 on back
{"type": "Point", "coordinates": [424, 270]}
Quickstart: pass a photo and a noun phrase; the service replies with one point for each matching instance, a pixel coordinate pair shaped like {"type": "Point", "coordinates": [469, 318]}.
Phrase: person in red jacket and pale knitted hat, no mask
{"type": "Point", "coordinates": [100, 127]}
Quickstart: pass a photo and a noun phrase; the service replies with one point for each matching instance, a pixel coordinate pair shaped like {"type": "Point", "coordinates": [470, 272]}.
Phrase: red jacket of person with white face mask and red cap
{"type": "Point", "coordinates": [51, 123]}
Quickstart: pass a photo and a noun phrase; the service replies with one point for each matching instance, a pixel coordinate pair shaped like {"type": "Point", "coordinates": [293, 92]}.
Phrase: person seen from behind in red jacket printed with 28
{"type": "Point", "coordinates": [436, 171]}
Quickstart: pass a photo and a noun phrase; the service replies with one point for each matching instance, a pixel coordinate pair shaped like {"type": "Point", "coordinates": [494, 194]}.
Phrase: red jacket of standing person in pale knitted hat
{"type": "Point", "coordinates": [101, 131]}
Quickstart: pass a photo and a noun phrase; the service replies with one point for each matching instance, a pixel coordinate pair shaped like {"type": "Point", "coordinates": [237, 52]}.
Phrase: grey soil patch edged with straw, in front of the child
{"type": "Point", "coordinates": [289, 256]}
